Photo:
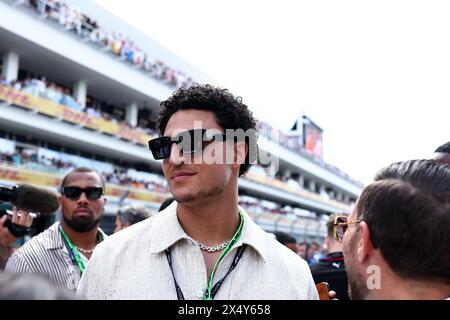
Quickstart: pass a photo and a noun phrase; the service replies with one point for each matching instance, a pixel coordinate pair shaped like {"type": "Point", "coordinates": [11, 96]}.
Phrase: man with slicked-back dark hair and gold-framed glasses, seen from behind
{"type": "Point", "coordinates": [396, 242]}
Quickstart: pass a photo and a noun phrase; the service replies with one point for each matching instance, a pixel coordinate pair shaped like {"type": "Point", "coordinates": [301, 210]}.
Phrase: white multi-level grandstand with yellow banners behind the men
{"type": "Point", "coordinates": [81, 87]}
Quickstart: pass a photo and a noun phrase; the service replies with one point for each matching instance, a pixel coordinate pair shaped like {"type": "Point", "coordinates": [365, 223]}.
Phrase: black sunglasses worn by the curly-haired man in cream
{"type": "Point", "coordinates": [190, 141]}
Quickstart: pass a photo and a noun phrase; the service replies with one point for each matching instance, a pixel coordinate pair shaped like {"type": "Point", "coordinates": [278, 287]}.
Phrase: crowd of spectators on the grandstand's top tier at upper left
{"type": "Point", "coordinates": [72, 19]}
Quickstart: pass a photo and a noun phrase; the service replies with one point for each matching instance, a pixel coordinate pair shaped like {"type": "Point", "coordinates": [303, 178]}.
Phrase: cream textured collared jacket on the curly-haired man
{"type": "Point", "coordinates": [132, 264]}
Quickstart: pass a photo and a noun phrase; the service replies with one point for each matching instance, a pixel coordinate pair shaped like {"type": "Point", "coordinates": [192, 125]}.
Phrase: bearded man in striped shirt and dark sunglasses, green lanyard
{"type": "Point", "coordinates": [61, 252]}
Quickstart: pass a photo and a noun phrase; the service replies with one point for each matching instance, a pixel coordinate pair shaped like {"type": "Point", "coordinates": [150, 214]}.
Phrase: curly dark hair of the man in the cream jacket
{"type": "Point", "coordinates": [229, 112]}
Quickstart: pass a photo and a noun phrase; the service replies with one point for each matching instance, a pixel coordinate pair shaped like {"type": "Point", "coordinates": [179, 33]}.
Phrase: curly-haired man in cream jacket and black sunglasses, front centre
{"type": "Point", "coordinates": [203, 245]}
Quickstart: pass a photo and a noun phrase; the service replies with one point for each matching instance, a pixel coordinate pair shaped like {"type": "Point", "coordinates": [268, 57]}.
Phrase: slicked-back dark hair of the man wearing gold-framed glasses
{"type": "Point", "coordinates": [407, 210]}
